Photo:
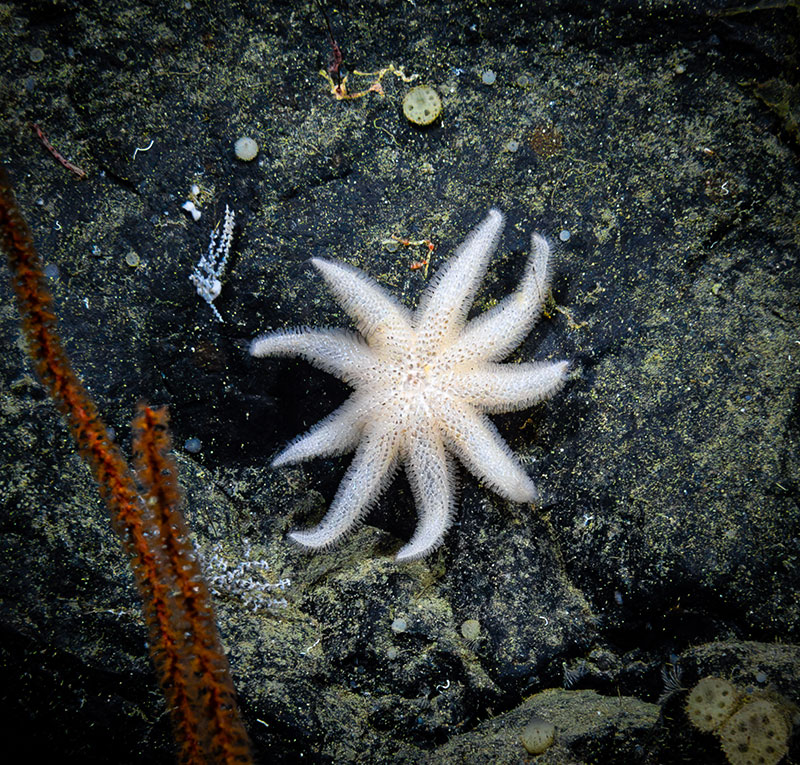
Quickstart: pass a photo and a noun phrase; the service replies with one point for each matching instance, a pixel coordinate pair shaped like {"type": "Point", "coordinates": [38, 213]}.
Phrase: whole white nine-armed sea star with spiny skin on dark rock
{"type": "Point", "coordinates": [424, 382]}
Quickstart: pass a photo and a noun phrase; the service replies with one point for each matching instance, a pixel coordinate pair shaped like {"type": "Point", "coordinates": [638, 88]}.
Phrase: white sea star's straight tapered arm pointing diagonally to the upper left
{"type": "Point", "coordinates": [384, 323]}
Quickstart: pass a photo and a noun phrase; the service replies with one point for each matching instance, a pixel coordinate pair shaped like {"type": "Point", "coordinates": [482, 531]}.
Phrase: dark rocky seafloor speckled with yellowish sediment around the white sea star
{"type": "Point", "coordinates": [662, 136]}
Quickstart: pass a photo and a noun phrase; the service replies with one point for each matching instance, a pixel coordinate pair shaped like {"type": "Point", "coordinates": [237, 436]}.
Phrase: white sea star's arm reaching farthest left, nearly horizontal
{"type": "Point", "coordinates": [337, 351]}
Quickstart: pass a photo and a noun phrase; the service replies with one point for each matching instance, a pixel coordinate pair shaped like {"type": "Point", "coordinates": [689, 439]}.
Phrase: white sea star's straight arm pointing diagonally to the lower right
{"type": "Point", "coordinates": [483, 451]}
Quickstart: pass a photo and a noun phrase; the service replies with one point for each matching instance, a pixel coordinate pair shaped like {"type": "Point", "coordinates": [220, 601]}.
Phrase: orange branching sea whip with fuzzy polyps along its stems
{"type": "Point", "coordinates": [183, 638]}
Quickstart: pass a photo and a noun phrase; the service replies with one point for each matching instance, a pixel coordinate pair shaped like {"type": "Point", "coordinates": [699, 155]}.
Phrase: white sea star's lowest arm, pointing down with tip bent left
{"type": "Point", "coordinates": [432, 477]}
